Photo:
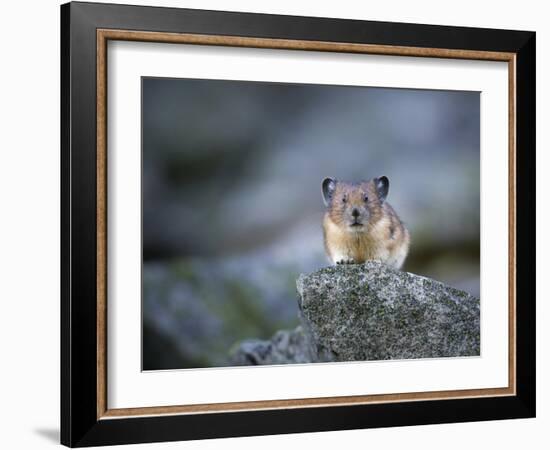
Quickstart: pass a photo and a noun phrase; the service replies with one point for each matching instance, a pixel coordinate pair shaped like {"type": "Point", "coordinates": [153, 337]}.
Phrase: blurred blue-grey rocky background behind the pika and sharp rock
{"type": "Point", "coordinates": [232, 202]}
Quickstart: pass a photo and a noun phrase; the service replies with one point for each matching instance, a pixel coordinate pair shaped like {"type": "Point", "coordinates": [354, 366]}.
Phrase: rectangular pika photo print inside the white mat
{"type": "Point", "coordinates": [299, 223]}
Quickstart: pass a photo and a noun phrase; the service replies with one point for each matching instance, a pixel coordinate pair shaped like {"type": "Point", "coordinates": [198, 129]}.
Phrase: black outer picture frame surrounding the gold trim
{"type": "Point", "coordinates": [80, 425]}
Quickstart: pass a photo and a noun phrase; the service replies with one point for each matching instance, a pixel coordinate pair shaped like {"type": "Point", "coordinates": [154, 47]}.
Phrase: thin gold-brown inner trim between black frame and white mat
{"type": "Point", "coordinates": [103, 36]}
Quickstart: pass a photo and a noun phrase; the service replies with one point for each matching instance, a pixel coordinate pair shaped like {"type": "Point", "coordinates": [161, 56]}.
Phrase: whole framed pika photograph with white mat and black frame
{"type": "Point", "coordinates": [276, 224]}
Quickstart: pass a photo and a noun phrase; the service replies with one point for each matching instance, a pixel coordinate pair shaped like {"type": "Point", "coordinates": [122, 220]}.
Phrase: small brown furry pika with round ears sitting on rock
{"type": "Point", "coordinates": [360, 225]}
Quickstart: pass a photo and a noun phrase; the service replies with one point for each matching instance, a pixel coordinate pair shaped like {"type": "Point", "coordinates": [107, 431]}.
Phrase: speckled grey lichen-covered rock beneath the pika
{"type": "Point", "coordinates": [372, 312]}
